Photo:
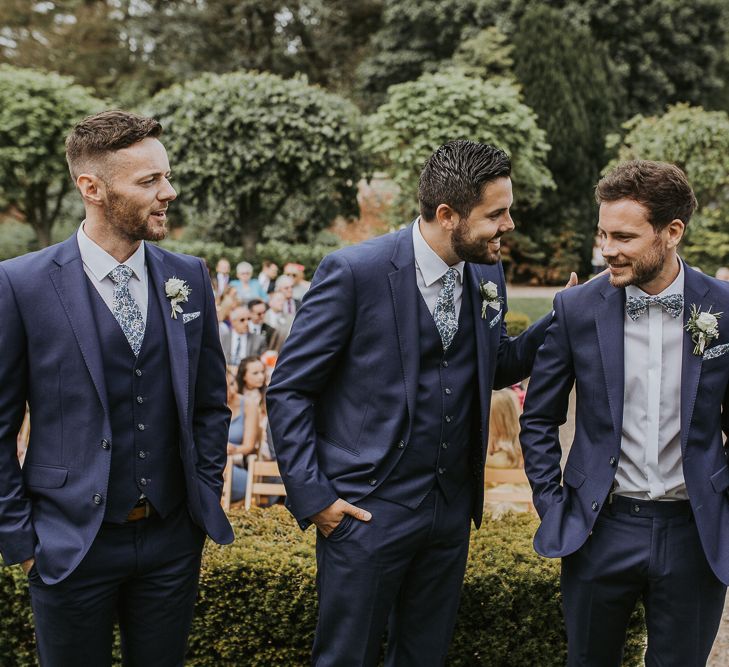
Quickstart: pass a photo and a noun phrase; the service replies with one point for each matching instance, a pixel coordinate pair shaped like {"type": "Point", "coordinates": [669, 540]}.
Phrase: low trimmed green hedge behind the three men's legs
{"type": "Point", "coordinates": [257, 602]}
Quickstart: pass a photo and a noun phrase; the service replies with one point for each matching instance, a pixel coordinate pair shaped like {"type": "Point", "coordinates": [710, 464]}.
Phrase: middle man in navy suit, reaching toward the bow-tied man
{"type": "Point", "coordinates": [379, 410]}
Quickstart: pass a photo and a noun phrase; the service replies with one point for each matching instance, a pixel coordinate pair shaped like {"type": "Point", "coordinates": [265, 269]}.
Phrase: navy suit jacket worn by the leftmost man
{"type": "Point", "coordinates": [51, 359]}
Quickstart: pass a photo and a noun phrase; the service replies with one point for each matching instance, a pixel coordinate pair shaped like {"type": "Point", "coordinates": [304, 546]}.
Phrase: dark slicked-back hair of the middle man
{"type": "Point", "coordinates": [456, 175]}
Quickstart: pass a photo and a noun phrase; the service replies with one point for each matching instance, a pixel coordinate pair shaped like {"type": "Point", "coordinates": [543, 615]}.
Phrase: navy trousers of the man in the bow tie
{"type": "Point", "coordinates": [647, 551]}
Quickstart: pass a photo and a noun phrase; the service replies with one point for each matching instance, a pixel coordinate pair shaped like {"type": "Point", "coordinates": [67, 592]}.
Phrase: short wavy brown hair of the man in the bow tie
{"type": "Point", "coordinates": [661, 187]}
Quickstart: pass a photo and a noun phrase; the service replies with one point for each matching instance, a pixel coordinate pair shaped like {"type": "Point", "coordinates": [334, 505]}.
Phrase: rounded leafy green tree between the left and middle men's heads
{"type": "Point", "coordinates": [251, 150]}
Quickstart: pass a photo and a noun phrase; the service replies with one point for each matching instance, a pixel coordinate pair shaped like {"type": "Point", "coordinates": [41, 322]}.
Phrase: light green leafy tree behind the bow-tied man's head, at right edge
{"type": "Point", "coordinates": [698, 142]}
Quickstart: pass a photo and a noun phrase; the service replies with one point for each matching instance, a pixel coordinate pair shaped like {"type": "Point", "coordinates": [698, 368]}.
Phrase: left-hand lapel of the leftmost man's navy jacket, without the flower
{"type": "Point", "coordinates": [70, 282]}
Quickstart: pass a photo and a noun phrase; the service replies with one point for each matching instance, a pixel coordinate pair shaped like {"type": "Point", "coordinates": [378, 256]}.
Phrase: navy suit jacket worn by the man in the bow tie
{"type": "Point", "coordinates": [584, 346]}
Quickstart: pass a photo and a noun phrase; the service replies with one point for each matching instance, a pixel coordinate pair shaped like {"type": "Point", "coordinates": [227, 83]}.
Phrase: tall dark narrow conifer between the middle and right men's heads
{"type": "Point", "coordinates": [568, 82]}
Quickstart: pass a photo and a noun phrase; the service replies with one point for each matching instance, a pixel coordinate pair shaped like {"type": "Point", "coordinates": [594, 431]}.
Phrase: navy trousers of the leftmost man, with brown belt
{"type": "Point", "coordinates": [144, 574]}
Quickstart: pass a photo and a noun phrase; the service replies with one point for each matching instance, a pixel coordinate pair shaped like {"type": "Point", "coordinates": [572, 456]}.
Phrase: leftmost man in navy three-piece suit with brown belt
{"type": "Point", "coordinates": [114, 345]}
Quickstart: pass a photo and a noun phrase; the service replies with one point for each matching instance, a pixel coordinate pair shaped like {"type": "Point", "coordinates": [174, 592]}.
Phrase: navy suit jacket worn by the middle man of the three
{"type": "Point", "coordinates": [343, 393]}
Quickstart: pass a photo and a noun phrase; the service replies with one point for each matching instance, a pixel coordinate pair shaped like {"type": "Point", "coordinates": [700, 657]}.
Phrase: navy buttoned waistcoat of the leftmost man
{"type": "Point", "coordinates": [144, 450]}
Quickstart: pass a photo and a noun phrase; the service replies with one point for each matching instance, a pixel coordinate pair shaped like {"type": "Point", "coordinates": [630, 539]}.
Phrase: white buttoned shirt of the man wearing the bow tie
{"type": "Point", "coordinates": [650, 465]}
